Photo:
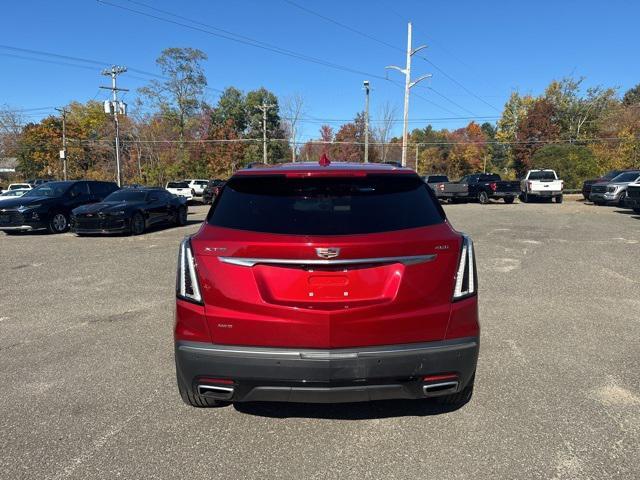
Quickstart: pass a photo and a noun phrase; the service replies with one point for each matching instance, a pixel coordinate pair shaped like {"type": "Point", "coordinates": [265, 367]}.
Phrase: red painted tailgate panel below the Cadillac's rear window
{"type": "Point", "coordinates": [269, 305]}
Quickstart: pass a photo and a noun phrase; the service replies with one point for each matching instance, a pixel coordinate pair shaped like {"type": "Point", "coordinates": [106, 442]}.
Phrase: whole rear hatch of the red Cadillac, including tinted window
{"type": "Point", "coordinates": [275, 286]}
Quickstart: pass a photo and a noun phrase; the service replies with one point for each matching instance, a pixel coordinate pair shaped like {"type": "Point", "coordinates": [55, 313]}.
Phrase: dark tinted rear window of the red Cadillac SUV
{"type": "Point", "coordinates": [325, 206]}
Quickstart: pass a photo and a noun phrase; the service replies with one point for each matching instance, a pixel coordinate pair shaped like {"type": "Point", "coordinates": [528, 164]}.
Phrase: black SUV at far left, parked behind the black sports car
{"type": "Point", "coordinates": [49, 206]}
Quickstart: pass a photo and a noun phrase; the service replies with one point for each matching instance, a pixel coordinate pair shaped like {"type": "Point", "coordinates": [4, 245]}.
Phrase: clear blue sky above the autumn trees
{"type": "Point", "coordinates": [489, 47]}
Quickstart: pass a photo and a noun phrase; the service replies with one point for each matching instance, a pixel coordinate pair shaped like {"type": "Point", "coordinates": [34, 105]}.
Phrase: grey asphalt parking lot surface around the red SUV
{"type": "Point", "coordinates": [88, 385]}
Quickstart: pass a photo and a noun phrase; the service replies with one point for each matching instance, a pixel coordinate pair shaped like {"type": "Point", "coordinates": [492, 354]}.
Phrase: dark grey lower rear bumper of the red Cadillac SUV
{"type": "Point", "coordinates": [327, 376]}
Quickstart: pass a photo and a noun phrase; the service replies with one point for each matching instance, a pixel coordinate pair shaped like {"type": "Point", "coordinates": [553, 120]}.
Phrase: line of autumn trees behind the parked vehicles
{"type": "Point", "coordinates": [172, 132]}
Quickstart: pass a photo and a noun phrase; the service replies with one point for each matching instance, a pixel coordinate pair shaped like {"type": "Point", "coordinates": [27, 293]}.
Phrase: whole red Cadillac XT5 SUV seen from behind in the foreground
{"type": "Point", "coordinates": [354, 288]}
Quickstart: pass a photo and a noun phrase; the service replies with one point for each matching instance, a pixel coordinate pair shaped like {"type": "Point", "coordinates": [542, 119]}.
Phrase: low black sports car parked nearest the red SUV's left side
{"type": "Point", "coordinates": [130, 210]}
